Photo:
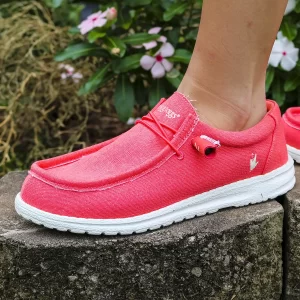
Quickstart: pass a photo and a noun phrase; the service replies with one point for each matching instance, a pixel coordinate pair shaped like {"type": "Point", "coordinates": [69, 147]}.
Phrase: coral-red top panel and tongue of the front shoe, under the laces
{"type": "Point", "coordinates": [131, 150]}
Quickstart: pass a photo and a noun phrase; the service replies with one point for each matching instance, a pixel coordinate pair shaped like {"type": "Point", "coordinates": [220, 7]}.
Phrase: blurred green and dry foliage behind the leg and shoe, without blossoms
{"type": "Point", "coordinates": [43, 116]}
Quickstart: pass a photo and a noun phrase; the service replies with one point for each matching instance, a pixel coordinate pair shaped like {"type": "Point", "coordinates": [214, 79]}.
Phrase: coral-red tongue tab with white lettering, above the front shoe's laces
{"type": "Point", "coordinates": [174, 110]}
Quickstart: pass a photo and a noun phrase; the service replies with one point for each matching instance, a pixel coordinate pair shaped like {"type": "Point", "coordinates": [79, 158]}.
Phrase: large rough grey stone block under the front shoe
{"type": "Point", "coordinates": [233, 254]}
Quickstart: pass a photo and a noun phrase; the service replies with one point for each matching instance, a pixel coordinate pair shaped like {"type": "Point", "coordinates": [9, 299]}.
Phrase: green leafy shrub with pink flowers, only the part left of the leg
{"type": "Point", "coordinates": [123, 39]}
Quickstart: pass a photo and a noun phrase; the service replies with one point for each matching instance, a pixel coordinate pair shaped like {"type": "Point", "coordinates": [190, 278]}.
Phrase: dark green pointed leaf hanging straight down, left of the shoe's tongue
{"type": "Point", "coordinates": [124, 98]}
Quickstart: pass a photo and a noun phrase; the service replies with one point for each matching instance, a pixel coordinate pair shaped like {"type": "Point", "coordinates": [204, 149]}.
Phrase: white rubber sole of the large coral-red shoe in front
{"type": "Point", "coordinates": [241, 193]}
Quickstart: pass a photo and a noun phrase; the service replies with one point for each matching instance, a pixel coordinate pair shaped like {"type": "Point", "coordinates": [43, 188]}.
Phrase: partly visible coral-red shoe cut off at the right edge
{"type": "Point", "coordinates": [291, 123]}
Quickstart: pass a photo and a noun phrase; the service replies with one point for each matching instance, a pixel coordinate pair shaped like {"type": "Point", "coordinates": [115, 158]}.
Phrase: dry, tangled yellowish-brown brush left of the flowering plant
{"type": "Point", "coordinates": [41, 115]}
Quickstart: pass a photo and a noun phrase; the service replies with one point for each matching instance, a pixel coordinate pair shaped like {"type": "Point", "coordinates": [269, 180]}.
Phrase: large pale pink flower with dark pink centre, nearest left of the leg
{"type": "Point", "coordinates": [158, 64]}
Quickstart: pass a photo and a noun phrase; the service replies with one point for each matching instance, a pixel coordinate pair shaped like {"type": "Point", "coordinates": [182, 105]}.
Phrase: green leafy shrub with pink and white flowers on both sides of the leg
{"type": "Point", "coordinates": [116, 41]}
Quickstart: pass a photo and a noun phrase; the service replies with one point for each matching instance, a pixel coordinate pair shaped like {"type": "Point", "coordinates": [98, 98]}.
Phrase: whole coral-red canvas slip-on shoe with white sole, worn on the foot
{"type": "Point", "coordinates": [169, 167]}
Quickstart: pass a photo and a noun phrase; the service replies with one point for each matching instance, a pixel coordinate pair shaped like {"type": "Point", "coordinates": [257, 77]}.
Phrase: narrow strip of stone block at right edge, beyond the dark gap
{"type": "Point", "coordinates": [292, 242]}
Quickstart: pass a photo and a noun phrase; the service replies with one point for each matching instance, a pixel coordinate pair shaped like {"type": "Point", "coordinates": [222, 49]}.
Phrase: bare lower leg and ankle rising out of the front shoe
{"type": "Point", "coordinates": [226, 75]}
